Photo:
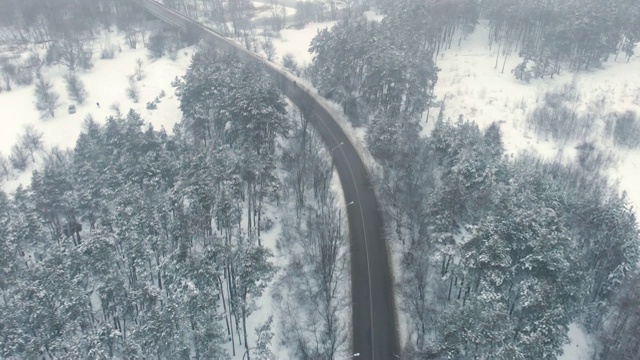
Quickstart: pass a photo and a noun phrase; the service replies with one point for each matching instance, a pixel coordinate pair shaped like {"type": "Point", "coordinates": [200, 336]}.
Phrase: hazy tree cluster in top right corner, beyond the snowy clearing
{"type": "Point", "coordinates": [549, 34]}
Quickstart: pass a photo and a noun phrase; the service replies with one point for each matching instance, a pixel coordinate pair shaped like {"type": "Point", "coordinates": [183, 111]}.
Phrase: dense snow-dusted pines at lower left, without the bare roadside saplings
{"type": "Point", "coordinates": [133, 243]}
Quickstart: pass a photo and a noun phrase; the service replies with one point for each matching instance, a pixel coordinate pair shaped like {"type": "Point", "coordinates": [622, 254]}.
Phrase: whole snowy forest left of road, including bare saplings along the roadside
{"type": "Point", "coordinates": [145, 244]}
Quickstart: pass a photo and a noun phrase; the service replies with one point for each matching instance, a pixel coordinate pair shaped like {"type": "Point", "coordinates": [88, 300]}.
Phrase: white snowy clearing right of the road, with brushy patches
{"type": "Point", "coordinates": [474, 88]}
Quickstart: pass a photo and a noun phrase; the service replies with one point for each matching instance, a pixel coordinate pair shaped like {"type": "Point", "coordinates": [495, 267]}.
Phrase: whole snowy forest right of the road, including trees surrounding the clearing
{"type": "Point", "coordinates": [497, 255]}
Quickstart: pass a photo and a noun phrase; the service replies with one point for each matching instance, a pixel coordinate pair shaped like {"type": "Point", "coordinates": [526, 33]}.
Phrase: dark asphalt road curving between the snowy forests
{"type": "Point", "coordinates": [374, 334]}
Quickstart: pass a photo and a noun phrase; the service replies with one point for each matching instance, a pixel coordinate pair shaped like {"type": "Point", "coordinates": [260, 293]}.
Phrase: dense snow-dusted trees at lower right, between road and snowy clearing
{"type": "Point", "coordinates": [500, 256]}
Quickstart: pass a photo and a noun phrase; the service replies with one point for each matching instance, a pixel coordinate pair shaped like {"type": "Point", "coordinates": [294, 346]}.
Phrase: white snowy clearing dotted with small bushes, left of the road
{"type": "Point", "coordinates": [106, 84]}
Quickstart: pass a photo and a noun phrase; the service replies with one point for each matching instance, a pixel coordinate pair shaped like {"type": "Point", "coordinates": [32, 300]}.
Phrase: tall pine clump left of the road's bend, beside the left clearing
{"type": "Point", "coordinates": [232, 104]}
